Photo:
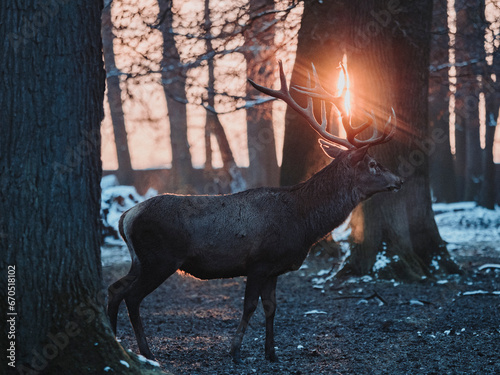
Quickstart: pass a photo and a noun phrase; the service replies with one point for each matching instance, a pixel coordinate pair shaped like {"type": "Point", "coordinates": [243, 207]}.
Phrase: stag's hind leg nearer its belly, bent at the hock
{"type": "Point", "coordinates": [147, 281]}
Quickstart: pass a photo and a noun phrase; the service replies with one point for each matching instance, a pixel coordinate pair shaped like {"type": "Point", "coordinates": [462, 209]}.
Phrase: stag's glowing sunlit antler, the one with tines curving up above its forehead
{"type": "Point", "coordinates": [320, 93]}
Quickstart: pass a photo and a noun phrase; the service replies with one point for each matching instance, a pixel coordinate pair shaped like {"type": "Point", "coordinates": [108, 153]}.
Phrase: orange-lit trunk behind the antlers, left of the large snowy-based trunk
{"type": "Point", "coordinates": [322, 41]}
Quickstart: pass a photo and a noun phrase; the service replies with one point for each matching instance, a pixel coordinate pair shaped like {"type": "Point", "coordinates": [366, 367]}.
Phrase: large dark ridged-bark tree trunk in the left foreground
{"type": "Point", "coordinates": [52, 100]}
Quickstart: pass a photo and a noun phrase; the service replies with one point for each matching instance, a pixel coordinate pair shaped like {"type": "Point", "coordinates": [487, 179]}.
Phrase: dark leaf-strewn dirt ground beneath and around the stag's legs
{"type": "Point", "coordinates": [354, 326]}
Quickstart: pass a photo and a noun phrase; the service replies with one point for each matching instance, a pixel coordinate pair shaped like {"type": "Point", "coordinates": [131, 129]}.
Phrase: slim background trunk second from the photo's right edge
{"type": "Point", "coordinates": [470, 59]}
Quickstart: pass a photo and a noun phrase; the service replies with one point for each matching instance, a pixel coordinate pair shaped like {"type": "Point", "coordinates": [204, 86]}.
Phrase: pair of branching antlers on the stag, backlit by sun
{"type": "Point", "coordinates": [320, 93]}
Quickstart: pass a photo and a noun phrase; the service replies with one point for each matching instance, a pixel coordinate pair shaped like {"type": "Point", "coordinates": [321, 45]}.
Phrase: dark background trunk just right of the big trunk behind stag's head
{"type": "Point", "coordinates": [442, 173]}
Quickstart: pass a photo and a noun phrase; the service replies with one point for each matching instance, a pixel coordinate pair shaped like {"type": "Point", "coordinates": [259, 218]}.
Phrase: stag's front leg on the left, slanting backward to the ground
{"type": "Point", "coordinates": [252, 292]}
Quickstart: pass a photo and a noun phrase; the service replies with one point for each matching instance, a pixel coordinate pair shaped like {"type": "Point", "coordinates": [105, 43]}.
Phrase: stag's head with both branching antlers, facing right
{"type": "Point", "coordinates": [370, 176]}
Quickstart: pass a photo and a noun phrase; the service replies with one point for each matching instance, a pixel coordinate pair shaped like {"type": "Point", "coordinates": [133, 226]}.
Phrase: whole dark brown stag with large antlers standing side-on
{"type": "Point", "coordinates": [259, 233]}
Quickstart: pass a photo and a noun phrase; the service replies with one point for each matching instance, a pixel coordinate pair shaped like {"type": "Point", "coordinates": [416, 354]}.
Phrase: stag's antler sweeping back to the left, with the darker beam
{"type": "Point", "coordinates": [284, 94]}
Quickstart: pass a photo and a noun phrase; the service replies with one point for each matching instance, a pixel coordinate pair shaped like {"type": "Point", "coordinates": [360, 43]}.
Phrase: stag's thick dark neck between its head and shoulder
{"type": "Point", "coordinates": [328, 198]}
